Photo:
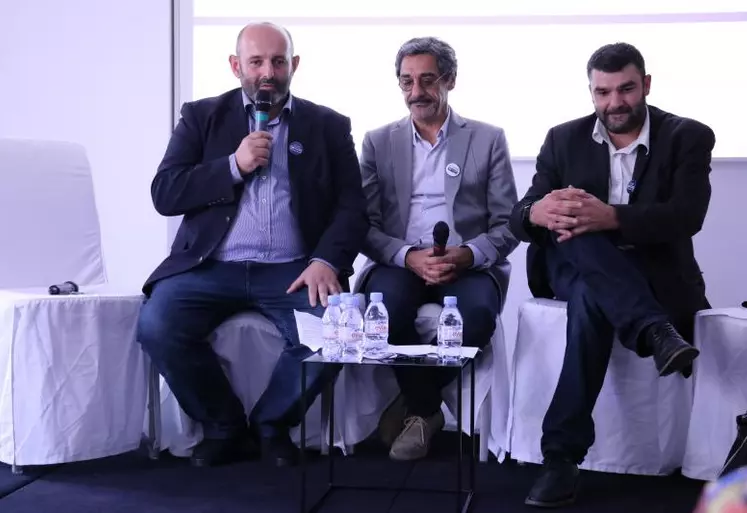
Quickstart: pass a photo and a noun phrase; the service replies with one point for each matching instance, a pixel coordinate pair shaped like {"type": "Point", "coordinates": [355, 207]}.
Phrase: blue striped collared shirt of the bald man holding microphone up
{"type": "Point", "coordinates": [264, 228]}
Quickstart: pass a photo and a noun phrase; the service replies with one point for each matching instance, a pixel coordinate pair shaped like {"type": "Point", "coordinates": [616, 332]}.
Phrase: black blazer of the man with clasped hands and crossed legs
{"type": "Point", "coordinates": [665, 210]}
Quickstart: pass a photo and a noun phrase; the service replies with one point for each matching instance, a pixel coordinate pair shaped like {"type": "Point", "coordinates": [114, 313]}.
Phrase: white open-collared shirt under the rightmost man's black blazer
{"type": "Point", "coordinates": [622, 161]}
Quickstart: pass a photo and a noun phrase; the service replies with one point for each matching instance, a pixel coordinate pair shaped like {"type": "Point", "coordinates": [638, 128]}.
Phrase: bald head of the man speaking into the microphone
{"type": "Point", "coordinates": [264, 60]}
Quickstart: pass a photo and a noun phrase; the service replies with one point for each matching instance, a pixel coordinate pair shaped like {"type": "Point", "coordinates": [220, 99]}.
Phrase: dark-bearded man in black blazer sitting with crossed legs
{"type": "Point", "coordinates": [610, 216]}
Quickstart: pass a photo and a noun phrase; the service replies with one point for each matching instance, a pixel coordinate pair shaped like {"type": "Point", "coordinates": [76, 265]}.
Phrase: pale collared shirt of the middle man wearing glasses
{"type": "Point", "coordinates": [428, 200]}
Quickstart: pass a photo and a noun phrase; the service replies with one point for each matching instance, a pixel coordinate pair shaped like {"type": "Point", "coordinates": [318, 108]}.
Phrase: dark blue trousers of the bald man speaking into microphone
{"type": "Point", "coordinates": [184, 309]}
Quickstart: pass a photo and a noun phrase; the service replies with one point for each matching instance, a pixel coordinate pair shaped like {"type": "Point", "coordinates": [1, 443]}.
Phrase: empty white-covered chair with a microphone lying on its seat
{"type": "Point", "coordinates": [72, 378]}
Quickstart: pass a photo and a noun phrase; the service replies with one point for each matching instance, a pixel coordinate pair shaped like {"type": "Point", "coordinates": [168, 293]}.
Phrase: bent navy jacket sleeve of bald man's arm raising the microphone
{"type": "Point", "coordinates": [183, 182]}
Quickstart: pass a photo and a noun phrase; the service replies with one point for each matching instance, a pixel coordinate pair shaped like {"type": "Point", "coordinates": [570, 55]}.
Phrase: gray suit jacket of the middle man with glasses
{"type": "Point", "coordinates": [480, 197]}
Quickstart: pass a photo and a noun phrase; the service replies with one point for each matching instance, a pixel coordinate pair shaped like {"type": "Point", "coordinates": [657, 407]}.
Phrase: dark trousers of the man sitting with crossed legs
{"type": "Point", "coordinates": [607, 294]}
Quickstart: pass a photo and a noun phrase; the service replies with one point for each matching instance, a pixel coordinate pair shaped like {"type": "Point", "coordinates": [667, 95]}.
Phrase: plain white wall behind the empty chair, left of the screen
{"type": "Point", "coordinates": [98, 73]}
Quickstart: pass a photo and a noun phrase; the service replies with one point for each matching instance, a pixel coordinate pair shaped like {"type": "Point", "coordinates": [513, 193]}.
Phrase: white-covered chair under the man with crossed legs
{"type": "Point", "coordinates": [640, 419]}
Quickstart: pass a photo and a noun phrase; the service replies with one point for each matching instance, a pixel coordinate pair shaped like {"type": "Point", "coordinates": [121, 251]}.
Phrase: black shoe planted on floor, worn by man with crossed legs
{"type": "Point", "coordinates": [556, 486]}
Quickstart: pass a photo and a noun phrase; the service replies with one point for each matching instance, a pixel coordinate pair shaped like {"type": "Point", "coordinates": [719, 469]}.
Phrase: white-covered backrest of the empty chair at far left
{"type": "Point", "coordinates": [49, 224]}
